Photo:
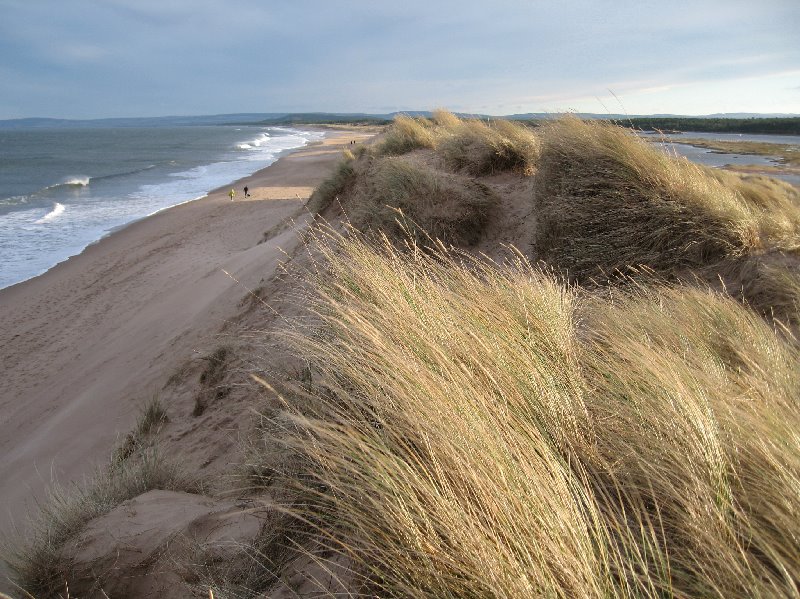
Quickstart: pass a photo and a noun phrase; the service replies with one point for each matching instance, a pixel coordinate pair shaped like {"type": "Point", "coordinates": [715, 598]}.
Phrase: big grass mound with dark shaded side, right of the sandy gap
{"type": "Point", "coordinates": [606, 200]}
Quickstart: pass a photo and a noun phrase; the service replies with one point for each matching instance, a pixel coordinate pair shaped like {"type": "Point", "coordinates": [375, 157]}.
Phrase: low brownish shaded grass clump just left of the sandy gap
{"type": "Point", "coordinates": [397, 196]}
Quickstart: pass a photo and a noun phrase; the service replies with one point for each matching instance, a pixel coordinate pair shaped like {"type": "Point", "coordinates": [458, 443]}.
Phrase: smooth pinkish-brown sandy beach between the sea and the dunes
{"type": "Point", "coordinates": [85, 344]}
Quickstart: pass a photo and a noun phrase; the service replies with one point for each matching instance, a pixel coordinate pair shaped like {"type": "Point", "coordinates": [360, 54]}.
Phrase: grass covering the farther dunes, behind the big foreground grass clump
{"type": "Point", "coordinates": [605, 202]}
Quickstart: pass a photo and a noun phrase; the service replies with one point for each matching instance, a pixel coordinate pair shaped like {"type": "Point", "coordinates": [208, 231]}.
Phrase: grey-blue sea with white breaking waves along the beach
{"type": "Point", "coordinates": [63, 188]}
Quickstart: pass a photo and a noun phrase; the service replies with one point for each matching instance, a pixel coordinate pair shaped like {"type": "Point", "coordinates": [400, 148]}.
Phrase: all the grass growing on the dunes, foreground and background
{"type": "Point", "coordinates": [466, 428]}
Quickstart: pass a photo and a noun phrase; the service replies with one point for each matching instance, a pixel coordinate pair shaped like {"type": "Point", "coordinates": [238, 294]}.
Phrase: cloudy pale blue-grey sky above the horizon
{"type": "Point", "coordinates": [126, 58]}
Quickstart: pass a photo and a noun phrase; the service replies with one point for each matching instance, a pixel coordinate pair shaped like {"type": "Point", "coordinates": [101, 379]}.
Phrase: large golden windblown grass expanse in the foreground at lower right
{"type": "Point", "coordinates": [491, 432]}
